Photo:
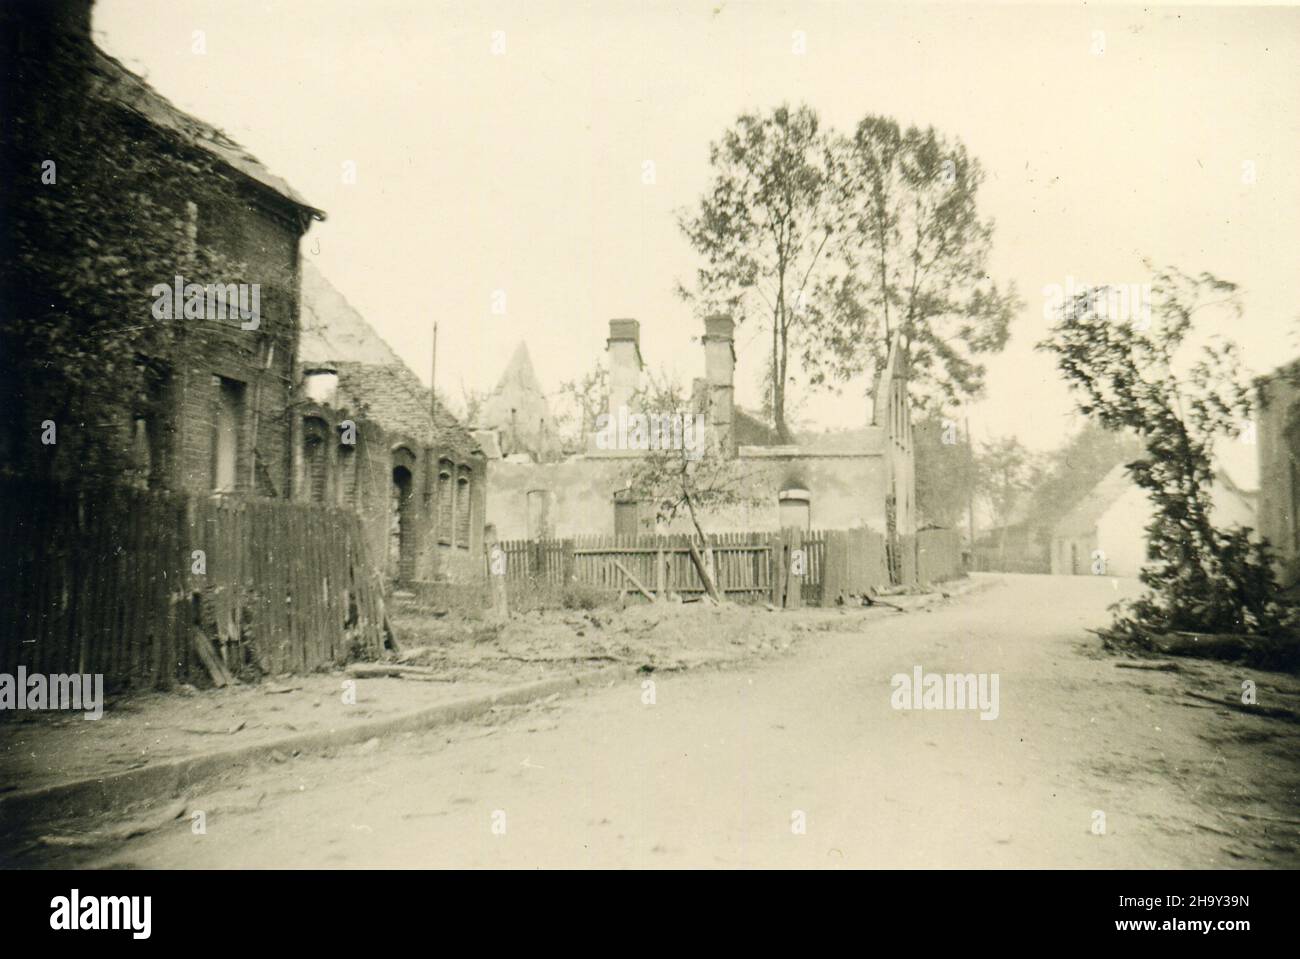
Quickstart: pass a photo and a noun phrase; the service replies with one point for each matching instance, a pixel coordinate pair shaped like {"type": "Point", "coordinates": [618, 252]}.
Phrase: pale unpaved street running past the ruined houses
{"type": "Point", "coordinates": [725, 765]}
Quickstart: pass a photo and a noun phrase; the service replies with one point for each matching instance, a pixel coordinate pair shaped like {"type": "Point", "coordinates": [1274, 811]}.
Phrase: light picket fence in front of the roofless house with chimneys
{"type": "Point", "coordinates": [749, 567]}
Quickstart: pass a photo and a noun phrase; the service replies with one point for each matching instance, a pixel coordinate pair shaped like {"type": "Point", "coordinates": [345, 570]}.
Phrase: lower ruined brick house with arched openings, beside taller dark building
{"type": "Point", "coordinates": [418, 478]}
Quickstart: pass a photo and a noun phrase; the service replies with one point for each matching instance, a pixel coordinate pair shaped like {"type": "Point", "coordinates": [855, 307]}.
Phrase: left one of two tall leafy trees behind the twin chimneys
{"type": "Point", "coordinates": [765, 229]}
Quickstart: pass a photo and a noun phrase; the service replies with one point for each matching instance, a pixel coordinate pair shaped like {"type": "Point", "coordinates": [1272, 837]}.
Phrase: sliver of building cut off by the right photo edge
{"type": "Point", "coordinates": [1279, 444]}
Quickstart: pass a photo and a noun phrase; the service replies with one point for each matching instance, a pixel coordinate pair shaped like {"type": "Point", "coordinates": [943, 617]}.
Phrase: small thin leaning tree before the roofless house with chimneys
{"type": "Point", "coordinates": [687, 481]}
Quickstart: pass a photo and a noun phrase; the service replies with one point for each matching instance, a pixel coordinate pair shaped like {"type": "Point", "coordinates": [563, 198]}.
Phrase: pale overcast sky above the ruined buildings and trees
{"type": "Point", "coordinates": [522, 171]}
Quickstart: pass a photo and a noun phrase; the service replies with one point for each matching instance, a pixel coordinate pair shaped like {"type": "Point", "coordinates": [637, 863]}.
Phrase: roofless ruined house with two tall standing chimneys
{"type": "Point", "coordinates": [863, 478]}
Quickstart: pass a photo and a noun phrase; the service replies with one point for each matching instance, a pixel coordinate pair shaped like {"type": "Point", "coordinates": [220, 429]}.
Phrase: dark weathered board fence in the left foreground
{"type": "Point", "coordinates": [110, 583]}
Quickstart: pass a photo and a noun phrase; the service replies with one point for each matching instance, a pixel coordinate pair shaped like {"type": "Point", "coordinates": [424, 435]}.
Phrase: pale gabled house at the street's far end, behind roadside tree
{"type": "Point", "coordinates": [1107, 531]}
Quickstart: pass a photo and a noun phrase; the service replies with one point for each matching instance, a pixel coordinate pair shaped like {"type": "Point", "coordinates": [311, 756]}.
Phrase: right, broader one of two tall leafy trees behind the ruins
{"type": "Point", "coordinates": [915, 261]}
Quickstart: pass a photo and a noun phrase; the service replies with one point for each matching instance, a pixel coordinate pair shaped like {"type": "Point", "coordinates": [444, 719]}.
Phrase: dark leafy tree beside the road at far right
{"type": "Point", "coordinates": [1203, 579]}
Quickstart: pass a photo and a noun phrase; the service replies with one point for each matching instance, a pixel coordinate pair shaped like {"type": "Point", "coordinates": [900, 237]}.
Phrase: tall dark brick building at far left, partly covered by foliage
{"type": "Point", "coordinates": [213, 411]}
